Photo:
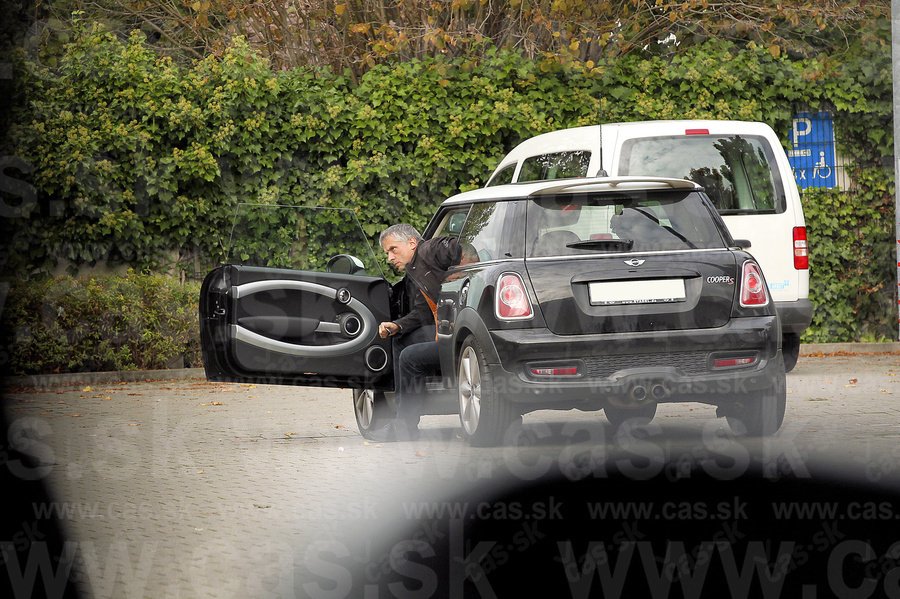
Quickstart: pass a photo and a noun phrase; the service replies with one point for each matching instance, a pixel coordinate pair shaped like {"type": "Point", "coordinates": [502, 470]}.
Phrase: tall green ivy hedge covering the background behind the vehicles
{"type": "Point", "coordinates": [135, 160]}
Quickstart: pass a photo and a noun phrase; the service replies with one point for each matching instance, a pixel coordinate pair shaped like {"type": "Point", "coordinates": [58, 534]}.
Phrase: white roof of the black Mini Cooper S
{"type": "Point", "coordinates": [517, 191]}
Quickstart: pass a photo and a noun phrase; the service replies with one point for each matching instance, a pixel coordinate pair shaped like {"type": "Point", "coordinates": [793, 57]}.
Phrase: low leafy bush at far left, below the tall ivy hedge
{"type": "Point", "coordinates": [67, 324]}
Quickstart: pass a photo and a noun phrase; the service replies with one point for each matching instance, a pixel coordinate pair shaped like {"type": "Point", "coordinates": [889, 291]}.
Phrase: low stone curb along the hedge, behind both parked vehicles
{"type": "Point", "coordinates": [45, 381]}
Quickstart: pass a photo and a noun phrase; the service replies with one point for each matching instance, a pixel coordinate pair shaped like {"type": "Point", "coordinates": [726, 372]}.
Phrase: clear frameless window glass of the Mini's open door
{"type": "Point", "coordinates": [300, 238]}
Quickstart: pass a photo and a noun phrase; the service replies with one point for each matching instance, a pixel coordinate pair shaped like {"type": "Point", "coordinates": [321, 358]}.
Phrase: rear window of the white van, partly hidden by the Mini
{"type": "Point", "coordinates": [735, 170]}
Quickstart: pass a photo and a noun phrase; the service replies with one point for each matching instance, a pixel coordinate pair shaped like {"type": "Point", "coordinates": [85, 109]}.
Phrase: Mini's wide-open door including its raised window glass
{"type": "Point", "coordinates": [299, 305]}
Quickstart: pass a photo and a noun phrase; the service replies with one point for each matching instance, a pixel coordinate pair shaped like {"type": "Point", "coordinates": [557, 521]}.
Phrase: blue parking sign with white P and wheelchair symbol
{"type": "Point", "coordinates": [812, 154]}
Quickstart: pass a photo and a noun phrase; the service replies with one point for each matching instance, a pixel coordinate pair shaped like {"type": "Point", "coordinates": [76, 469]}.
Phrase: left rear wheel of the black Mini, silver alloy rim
{"type": "Point", "coordinates": [485, 416]}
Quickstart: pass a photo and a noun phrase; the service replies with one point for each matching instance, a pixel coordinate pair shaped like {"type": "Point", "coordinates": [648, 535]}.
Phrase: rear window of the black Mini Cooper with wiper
{"type": "Point", "coordinates": [620, 222]}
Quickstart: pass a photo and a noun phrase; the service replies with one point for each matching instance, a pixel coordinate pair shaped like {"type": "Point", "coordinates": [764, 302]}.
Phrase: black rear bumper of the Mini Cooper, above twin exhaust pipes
{"type": "Point", "coordinates": [632, 368]}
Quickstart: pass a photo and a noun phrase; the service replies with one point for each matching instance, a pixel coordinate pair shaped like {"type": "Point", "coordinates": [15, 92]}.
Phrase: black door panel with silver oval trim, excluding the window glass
{"type": "Point", "coordinates": [295, 327]}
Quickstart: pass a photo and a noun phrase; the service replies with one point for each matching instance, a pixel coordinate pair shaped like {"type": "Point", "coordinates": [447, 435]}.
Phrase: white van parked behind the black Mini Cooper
{"type": "Point", "coordinates": [742, 166]}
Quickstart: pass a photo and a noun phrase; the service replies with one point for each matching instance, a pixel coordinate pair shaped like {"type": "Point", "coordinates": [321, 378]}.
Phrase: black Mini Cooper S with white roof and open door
{"type": "Point", "coordinates": [613, 294]}
